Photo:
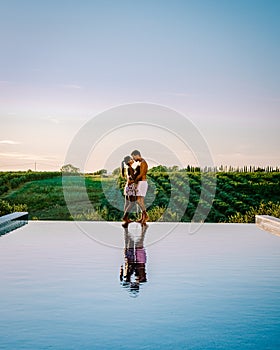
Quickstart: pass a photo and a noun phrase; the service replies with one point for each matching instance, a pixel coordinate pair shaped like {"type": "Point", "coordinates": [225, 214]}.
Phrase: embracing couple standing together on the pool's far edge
{"type": "Point", "coordinates": [136, 185]}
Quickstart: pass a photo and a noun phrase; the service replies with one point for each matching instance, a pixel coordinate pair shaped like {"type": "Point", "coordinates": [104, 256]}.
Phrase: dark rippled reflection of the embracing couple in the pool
{"type": "Point", "coordinates": [133, 272]}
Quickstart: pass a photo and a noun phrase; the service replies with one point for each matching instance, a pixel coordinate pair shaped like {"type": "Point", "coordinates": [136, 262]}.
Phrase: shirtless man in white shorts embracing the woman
{"type": "Point", "coordinates": [142, 184]}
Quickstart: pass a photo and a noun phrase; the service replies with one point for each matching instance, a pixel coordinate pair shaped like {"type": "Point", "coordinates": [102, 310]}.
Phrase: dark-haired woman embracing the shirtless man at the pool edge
{"type": "Point", "coordinates": [130, 187]}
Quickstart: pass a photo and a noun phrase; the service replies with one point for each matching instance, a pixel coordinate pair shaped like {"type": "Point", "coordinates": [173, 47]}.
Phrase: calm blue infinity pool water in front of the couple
{"type": "Point", "coordinates": [216, 289]}
